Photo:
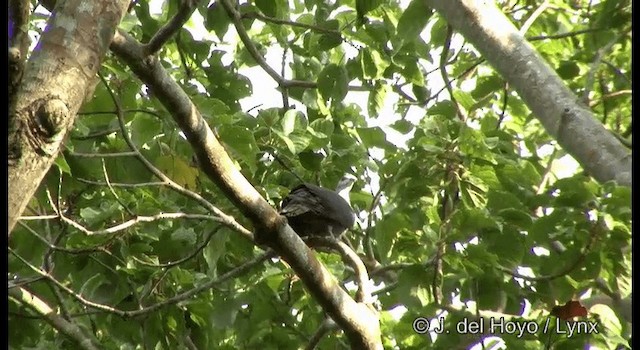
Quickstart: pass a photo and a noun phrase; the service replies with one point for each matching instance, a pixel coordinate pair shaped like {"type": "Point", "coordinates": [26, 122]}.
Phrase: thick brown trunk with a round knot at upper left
{"type": "Point", "coordinates": [59, 75]}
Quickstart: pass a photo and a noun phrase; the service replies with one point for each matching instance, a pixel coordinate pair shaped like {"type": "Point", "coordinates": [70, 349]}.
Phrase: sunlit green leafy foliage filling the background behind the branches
{"type": "Point", "coordinates": [458, 214]}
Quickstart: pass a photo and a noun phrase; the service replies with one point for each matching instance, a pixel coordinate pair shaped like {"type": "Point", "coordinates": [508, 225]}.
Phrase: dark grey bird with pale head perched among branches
{"type": "Point", "coordinates": [317, 211]}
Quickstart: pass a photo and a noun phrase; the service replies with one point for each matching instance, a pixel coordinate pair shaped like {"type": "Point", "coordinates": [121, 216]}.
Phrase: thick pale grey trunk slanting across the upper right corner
{"type": "Point", "coordinates": [570, 122]}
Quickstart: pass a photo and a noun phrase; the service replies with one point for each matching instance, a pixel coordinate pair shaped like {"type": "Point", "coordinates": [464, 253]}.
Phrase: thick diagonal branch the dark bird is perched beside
{"type": "Point", "coordinates": [359, 323]}
